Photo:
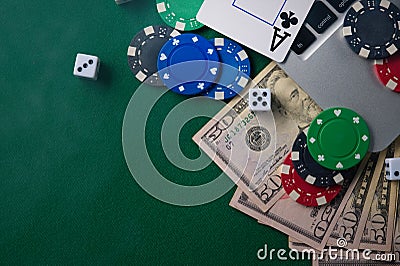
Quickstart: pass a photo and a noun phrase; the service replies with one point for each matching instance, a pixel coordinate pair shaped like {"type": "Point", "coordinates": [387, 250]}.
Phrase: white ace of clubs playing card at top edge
{"type": "Point", "coordinates": [266, 26]}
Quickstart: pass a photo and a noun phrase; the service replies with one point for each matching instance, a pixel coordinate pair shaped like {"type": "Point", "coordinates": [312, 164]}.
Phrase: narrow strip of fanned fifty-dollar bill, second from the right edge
{"type": "Point", "coordinates": [348, 221]}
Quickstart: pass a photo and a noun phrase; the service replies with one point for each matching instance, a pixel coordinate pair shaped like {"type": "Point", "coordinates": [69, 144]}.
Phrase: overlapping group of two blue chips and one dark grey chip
{"type": "Point", "coordinates": [188, 64]}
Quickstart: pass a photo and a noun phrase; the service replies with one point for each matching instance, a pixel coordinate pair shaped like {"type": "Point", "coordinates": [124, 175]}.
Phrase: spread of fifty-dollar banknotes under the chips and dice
{"type": "Point", "coordinates": [250, 148]}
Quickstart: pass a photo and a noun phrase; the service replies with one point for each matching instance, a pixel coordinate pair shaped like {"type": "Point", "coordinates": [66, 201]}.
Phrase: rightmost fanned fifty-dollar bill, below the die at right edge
{"type": "Point", "coordinates": [378, 231]}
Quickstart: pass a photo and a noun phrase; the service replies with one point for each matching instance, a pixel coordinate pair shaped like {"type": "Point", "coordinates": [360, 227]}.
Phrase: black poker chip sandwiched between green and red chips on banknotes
{"type": "Point", "coordinates": [308, 169]}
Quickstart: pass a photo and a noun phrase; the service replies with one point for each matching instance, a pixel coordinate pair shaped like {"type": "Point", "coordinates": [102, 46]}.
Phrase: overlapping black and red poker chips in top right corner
{"type": "Point", "coordinates": [372, 30]}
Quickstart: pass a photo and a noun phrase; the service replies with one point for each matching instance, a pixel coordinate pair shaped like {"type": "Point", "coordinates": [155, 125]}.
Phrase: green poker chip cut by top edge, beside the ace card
{"type": "Point", "coordinates": [180, 14]}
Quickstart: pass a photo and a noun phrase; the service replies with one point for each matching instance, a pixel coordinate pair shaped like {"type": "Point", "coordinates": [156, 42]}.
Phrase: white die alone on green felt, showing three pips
{"type": "Point", "coordinates": [87, 66]}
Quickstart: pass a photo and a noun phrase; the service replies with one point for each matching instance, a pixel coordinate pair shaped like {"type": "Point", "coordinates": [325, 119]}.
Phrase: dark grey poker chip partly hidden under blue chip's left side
{"type": "Point", "coordinates": [143, 51]}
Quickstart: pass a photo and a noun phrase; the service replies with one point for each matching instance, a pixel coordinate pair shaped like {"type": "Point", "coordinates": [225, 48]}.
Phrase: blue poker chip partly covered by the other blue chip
{"type": "Point", "coordinates": [235, 70]}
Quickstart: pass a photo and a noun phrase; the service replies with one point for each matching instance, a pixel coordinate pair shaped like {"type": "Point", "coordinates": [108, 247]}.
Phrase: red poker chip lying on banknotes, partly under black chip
{"type": "Point", "coordinates": [302, 192]}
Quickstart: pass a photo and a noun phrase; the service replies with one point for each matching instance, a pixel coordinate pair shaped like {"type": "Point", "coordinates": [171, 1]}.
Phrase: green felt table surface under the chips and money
{"type": "Point", "coordinates": [66, 193]}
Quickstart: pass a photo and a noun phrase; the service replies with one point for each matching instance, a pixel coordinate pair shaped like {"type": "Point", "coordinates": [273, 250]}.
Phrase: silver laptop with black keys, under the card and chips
{"type": "Point", "coordinates": [322, 63]}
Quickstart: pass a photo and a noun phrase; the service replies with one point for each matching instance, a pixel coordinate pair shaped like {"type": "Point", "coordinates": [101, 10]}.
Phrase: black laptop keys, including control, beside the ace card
{"type": "Point", "coordinates": [321, 17]}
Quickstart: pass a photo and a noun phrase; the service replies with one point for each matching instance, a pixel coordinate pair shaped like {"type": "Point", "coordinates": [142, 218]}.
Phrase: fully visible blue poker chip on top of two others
{"type": "Point", "coordinates": [188, 64]}
